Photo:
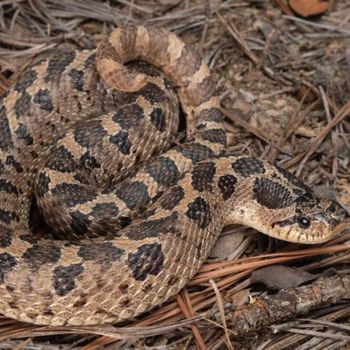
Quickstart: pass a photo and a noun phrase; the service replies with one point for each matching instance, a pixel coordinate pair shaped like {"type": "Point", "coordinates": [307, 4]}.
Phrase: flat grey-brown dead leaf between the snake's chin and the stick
{"type": "Point", "coordinates": [280, 277]}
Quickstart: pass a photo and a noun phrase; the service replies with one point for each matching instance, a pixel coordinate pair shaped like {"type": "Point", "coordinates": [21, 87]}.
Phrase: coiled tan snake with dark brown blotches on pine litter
{"type": "Point", "coordinates": [106, 211]}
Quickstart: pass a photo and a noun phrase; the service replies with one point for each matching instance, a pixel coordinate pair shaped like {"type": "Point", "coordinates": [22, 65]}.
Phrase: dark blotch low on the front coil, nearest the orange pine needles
{"type": "Point", "coordinates": [147, 260]}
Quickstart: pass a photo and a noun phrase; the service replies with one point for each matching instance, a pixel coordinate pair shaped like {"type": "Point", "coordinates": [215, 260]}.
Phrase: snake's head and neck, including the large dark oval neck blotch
{"type": "Point", "coordinates": [282, 206]}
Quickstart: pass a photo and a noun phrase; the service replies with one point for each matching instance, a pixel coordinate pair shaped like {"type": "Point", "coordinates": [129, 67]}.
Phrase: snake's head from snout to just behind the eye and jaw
{"type": "Point", "coordinates": [315, 220]}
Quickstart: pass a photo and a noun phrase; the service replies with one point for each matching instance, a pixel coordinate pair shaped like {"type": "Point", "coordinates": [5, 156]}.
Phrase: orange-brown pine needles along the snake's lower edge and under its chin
{"type": "Point", "coordinates": [191, 305]}
